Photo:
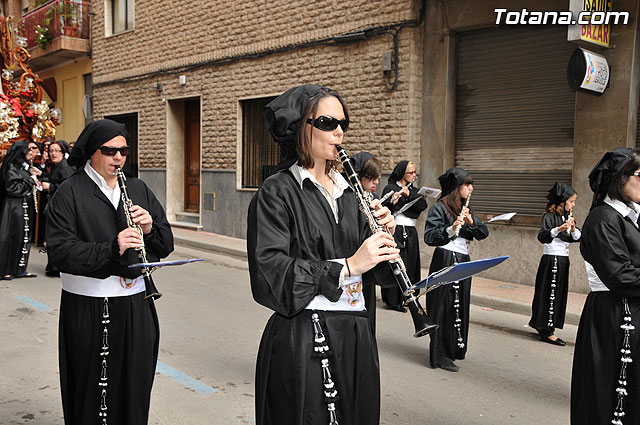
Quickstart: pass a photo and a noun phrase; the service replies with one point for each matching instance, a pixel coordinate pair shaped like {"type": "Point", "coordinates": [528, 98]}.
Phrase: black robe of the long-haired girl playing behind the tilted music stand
{"type": "Point", "coordinates": [440, 302]}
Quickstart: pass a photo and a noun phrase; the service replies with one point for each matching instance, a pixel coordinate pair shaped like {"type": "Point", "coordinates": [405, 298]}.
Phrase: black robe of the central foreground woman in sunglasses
{"type": "Point", "coordinates": [291, 235]}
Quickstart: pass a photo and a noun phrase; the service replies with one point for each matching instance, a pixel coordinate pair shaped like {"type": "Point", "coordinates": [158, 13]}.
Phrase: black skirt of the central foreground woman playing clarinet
{"type": "Point", "coordinates": [289, 381]}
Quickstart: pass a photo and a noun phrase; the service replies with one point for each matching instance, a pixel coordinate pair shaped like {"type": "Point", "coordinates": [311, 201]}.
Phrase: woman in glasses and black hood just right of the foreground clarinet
{"type": "Point", "coordinates": [401, 184]}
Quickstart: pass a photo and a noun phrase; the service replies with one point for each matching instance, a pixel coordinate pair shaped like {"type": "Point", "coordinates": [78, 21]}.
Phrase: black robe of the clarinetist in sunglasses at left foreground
{"type": "Point", "coordinates": [82, 240]}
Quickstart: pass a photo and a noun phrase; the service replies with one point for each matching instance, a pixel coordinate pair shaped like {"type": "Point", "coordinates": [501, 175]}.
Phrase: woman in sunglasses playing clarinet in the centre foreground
{"type": "Point", "coordinates": [309, 250]}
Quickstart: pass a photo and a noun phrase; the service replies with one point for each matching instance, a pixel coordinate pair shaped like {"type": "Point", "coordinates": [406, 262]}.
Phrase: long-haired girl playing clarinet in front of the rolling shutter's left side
{"type": "Point", "coordinates": [451, 226]}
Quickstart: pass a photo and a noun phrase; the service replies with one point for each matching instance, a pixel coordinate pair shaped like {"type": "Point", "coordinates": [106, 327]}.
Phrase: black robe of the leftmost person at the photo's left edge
{"type": "Point", "coordinates": [16, 215]}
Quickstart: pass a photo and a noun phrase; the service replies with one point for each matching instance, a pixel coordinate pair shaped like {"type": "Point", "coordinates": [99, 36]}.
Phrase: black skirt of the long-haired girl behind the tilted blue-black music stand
{"type": "Point", "coordinates": [448, 341]}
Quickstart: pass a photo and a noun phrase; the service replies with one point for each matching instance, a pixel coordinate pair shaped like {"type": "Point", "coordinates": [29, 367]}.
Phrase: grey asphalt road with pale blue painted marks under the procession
{"type": "Point", "coordinates": [210, 332]}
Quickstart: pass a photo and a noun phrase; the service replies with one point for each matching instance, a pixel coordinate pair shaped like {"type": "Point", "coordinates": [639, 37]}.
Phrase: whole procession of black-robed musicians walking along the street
{"type": "Point", "coordinates": [315, 255]}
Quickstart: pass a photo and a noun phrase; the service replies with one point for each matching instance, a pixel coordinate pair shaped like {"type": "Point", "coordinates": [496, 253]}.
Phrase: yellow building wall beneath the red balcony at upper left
{"type": "Point", "coordinates": [70, 93]}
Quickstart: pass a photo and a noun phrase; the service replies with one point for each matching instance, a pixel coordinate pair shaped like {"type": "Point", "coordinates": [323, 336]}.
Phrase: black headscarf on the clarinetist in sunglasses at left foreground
{"type": "Point", "coordinates": [94, 135]}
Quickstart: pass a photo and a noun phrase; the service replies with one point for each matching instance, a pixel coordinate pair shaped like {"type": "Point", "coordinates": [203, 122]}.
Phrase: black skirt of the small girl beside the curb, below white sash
{"type": "Point", "coordinates": [550, 303]}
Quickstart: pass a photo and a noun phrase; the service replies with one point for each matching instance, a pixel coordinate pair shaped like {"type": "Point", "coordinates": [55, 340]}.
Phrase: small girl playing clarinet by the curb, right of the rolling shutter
{"type": "Point", "coordinates": [557, 231]}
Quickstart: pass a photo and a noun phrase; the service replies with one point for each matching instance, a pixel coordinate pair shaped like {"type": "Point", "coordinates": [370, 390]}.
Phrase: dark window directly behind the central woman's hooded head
{"type": "Point", "coordinates": [260, 153]}
